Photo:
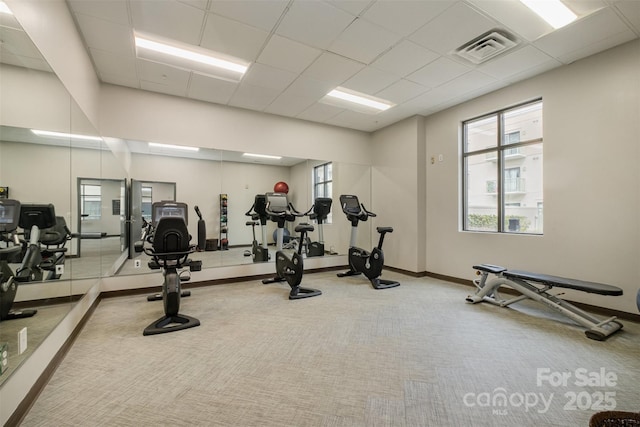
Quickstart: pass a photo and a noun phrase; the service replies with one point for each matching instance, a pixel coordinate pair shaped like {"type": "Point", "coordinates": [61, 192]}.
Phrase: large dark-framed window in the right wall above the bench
{"type": "Point", "coordinates": [502, 171]}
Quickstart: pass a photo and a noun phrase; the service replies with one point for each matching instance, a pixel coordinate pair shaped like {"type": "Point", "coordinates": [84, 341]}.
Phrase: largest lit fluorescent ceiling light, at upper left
{"type": "Point", "coordinates": [191, 58]}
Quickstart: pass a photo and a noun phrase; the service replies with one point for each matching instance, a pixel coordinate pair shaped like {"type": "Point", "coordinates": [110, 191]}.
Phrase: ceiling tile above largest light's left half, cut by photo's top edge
{"type": "Point", "coordinates": [168, 19]}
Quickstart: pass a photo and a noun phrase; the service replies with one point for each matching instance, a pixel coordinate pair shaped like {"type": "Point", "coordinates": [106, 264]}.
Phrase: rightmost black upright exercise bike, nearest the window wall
{"type": "Point", "coordinates": [361, 261]}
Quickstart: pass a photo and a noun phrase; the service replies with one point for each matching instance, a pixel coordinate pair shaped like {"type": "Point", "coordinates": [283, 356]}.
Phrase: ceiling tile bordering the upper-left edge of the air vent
{"type": "Point", "coordinates": [454, 27]}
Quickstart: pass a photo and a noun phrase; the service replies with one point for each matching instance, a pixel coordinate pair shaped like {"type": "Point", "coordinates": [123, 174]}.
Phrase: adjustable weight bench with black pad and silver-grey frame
{"type": "Point", "coordinates": [536, 286]}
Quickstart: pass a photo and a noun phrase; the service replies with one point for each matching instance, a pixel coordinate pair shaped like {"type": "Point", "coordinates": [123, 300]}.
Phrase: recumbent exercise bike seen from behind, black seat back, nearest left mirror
{"type": "Point", "coordinates": [167, 241]}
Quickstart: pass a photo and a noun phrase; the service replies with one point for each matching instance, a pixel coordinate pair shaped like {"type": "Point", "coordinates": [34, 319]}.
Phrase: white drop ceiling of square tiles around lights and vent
{"type": "Point", "coordinates": [299, 50]}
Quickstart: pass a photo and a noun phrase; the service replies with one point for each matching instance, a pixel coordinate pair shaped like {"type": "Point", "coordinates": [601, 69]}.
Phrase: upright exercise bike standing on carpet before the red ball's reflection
{"type": "Point", "coordinates": [288, 267]}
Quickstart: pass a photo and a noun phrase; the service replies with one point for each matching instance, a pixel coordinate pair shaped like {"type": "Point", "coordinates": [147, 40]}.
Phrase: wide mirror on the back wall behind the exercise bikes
{"type": "Point", "coordinates": [224, 185]}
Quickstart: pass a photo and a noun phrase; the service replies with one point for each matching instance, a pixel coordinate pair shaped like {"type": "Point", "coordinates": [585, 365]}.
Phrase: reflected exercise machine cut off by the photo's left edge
{"type": "Point", "coordinates": [9, 214]}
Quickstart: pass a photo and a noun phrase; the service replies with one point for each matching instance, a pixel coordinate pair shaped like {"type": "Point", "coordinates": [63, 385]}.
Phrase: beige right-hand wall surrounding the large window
{"type": "Point", "coordinates": [591, 179]}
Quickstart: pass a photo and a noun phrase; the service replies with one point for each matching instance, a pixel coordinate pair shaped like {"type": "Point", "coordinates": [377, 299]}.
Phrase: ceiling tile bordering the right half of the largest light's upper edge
{"type": "Point", "coordinates": [232, 38]}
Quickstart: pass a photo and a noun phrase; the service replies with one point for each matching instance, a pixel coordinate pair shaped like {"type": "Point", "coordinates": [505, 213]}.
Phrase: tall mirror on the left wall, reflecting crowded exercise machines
{"type": "Point", "coordinates": [40, 159]}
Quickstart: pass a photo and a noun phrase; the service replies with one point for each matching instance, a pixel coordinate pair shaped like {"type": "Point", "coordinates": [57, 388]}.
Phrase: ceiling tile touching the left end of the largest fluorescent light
{"type": "Point", "coordinates": [105, 35]}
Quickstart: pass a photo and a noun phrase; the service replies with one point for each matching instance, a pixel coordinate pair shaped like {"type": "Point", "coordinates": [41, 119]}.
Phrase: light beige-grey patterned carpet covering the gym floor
{"type": "Point", "coordinates": [416, 355]}
